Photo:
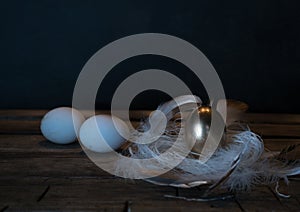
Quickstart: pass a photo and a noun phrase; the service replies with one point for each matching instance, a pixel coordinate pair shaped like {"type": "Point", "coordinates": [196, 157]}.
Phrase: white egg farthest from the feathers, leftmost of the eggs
{"type": "Point", "coordinates": [61, 125]}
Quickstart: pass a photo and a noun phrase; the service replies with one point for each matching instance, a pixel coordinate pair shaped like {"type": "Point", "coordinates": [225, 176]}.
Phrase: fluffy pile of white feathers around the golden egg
{"type": "Point", "coordinates": [238, 165]}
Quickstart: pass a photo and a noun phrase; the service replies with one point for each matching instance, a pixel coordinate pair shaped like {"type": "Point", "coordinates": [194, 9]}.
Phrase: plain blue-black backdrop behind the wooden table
{"type": "Point", "coordinates": [253, 45]}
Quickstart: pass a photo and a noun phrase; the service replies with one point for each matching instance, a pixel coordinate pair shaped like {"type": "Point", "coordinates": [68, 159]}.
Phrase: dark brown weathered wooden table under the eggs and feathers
{"type": "Point", "coordinates": [38, 175]}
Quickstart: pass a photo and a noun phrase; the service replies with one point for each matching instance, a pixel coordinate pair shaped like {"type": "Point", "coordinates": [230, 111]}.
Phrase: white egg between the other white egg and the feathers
{"type": "Point", "coordinates": [102, 133]}
